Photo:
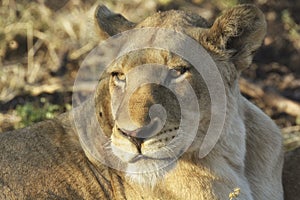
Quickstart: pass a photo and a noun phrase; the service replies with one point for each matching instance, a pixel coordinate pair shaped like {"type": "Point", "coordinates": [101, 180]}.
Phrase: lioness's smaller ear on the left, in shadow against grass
{"type": "Point", "coordinates": [111, 23]}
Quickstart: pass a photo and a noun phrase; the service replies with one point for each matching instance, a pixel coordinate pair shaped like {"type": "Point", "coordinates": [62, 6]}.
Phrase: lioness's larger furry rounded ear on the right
{"type": "Point", "coordinates": [239, 32]}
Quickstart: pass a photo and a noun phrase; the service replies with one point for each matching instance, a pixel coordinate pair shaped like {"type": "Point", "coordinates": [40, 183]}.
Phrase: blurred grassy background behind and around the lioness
{"type": "Point", "coordinates": [43, 42]}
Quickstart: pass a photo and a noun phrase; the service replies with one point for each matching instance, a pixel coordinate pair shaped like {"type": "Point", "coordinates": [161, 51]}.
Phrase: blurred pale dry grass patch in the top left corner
{"type": "Point", "coordinates": [33, 41]}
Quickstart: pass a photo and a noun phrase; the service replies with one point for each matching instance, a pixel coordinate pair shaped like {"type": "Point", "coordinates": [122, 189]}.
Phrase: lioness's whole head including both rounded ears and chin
{"type": "Point", "coordinates": [138, 97]}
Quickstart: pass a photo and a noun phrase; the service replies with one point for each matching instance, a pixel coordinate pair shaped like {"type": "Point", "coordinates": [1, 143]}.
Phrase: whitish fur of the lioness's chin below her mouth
{"type": "Point", "coordinates": [147, 173]}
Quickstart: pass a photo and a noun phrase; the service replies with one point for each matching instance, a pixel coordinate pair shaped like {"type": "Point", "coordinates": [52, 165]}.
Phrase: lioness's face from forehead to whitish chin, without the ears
{"type": "Point", "coordinates": [146, 130]}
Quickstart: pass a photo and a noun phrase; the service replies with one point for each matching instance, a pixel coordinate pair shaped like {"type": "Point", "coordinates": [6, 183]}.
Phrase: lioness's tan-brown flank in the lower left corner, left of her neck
{"type": "Point", "coordinates": [45, 161]}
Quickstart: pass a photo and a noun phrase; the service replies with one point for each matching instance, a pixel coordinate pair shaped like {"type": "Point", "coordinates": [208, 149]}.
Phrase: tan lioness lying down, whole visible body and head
{"type": "Point", "coordinates": [50, 160]}
